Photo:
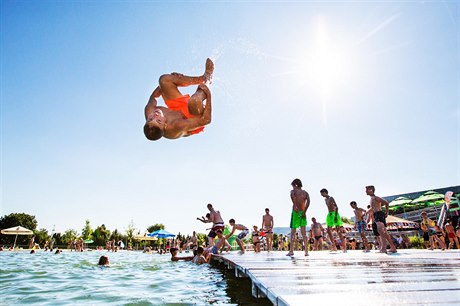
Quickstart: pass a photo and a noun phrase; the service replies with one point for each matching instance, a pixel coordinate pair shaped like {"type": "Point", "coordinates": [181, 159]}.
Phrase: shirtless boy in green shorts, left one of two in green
{"type": "Point", "coordinates": [300, 203]}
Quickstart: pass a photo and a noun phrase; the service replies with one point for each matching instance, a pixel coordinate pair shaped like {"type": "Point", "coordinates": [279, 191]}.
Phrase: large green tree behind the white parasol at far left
{"type": "Point", "coordinates": [15, 219]}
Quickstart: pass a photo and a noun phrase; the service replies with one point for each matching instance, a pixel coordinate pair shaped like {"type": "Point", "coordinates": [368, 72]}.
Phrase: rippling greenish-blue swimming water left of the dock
{"type": "Point", "coordinates": [133, 278]}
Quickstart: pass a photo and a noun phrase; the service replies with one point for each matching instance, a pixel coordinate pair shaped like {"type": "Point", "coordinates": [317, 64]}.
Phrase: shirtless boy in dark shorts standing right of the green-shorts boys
{"type": "Point", "coordinates": [380, 219]}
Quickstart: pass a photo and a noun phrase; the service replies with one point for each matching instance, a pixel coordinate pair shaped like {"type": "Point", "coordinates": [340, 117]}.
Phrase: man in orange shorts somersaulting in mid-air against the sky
{"type": "Point", "coordinates": [184, 115]}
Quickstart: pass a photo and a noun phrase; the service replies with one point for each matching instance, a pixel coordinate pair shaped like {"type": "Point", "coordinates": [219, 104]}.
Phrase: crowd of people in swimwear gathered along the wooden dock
{"type": "Point", "coordinates": [376, 214]}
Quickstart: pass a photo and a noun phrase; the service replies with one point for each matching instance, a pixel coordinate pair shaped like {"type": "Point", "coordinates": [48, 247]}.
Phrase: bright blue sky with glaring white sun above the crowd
{"type": "Point", "coordinates": [338, 94]}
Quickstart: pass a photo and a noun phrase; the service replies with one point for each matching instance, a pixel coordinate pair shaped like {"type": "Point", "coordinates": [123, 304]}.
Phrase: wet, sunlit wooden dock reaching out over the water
{"type": "Point", "coordinates": [410, 277]}
